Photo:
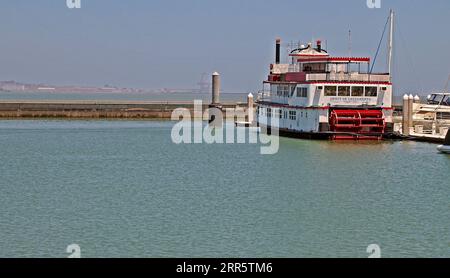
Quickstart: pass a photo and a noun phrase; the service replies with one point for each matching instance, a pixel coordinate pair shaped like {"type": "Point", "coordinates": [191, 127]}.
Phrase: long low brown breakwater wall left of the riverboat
{"type": "Point", "coordinates": [98, 109]}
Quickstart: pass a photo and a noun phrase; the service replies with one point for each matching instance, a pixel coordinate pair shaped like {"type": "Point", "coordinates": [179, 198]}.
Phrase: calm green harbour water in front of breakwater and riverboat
{"type": "Point", "coordinates": [123, 189]}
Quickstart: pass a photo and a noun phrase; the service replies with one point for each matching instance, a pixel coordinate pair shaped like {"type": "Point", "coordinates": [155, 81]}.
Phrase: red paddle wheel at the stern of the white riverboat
{"type": "Point", "coordinates": [357, 124]}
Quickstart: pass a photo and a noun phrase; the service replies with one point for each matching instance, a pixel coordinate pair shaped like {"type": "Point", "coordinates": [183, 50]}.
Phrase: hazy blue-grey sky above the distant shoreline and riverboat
{"type": "Point", "coordinates": [170, 43]}
